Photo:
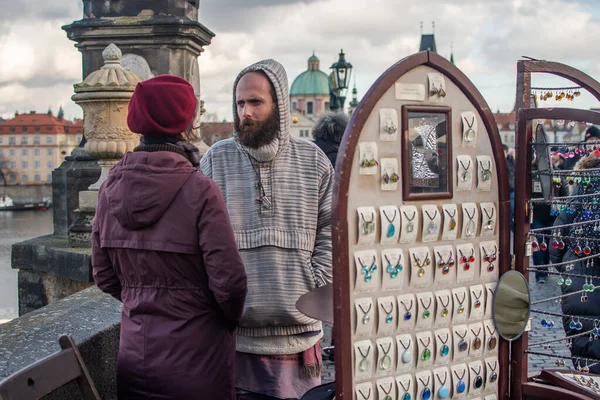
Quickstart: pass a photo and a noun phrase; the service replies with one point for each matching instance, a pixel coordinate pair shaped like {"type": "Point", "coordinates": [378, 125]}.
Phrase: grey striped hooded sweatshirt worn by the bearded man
{"type": "Point", "coordinates": [286, 248]}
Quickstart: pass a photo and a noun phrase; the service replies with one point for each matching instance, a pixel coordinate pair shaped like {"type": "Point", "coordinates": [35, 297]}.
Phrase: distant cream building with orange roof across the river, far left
{"type": "Point", "coordinates": [33, 145]}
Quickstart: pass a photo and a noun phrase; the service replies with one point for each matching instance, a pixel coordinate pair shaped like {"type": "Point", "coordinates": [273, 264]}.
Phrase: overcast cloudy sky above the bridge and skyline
{"type": "Point", "coordinates": [39, 65]}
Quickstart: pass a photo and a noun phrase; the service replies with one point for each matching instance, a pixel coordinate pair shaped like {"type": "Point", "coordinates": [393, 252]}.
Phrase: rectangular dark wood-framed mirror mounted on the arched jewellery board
{"type": "Point", "coordinates": [426, 152]}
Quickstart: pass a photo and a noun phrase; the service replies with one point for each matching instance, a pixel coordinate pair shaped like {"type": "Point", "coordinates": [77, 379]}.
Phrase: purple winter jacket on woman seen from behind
{"type": "Point", "coordinates": [162, 243]}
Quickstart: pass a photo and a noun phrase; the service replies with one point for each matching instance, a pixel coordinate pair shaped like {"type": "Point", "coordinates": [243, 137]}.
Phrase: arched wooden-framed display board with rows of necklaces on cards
{"type": "Point", "coordinates": [420, 236]}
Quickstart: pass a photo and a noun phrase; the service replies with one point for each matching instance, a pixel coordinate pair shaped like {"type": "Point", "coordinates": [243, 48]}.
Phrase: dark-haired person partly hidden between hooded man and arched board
{"type": "Point", "coordinates": [328, 133]}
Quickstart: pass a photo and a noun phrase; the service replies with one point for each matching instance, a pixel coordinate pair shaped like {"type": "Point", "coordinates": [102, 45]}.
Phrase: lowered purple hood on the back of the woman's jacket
{"type": "Point", "coordinates": [142, 186]}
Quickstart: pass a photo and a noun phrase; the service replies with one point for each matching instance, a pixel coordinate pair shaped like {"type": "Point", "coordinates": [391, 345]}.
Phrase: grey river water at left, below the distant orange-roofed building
{"type": "Point", "coordinates": [16, 226]}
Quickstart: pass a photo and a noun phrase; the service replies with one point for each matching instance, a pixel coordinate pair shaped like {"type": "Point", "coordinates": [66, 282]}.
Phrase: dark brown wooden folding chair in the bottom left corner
{"type": "Point", "coordinates": [50, 373]}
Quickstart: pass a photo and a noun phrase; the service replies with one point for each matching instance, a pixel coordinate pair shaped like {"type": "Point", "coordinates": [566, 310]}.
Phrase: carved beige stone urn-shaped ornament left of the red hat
{"type": "Point", "coordinates": [104, 97]}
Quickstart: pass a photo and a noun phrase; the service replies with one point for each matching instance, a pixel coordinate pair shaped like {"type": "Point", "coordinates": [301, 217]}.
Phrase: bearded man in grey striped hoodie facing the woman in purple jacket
{"type": "Point", "coordinates": [278, 193]}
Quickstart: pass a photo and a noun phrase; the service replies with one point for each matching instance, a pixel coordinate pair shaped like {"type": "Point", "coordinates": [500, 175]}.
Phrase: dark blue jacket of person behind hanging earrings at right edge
{"type": "Point", "coordinates": [572, 305]}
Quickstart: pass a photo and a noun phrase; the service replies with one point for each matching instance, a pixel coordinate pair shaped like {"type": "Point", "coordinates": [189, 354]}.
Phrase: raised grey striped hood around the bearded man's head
{"type": "Point", "coordinates": [278, 77]}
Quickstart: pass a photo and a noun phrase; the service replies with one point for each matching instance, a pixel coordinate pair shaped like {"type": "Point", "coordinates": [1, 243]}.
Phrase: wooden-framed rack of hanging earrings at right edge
{"type": "Point", "coordinates": [572, 194]}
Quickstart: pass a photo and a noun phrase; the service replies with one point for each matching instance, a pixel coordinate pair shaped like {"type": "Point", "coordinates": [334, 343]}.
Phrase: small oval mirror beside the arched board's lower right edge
{"type": "Point", "coordinates": [511, 305]}
